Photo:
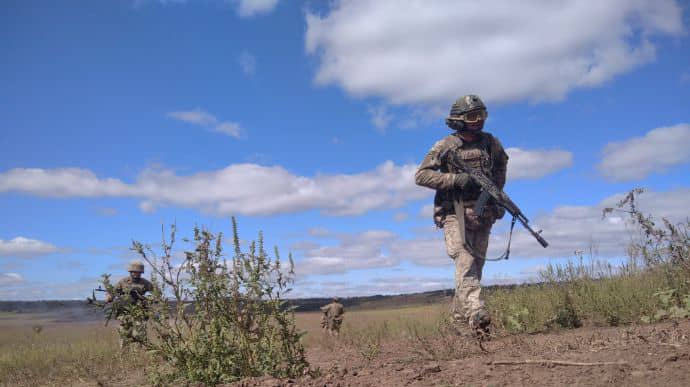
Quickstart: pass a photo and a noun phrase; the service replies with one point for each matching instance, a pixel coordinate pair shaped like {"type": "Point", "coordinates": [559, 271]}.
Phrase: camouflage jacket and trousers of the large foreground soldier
{"type": "Point", "coordinates": [487, 155]}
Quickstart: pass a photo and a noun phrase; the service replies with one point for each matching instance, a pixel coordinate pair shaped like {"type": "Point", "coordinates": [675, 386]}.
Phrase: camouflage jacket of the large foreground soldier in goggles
{"type": "Point", "coordinates": [486, 154]}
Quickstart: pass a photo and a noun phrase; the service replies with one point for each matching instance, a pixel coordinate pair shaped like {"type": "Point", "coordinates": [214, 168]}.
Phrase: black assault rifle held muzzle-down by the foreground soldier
{"type": "Point", "coordinates": [491, 193]}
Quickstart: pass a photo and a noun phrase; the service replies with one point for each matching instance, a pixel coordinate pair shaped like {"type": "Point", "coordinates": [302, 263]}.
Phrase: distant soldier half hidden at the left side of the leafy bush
{"type": "Point", "coordinates": [128, 291]}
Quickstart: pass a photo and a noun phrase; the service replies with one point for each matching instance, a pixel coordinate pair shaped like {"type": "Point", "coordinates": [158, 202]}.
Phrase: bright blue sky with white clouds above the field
{"type": "Point", "coordinates": [307, 120]}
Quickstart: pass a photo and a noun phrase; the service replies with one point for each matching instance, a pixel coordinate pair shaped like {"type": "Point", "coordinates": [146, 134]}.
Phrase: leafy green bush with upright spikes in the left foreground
{"type": "Point", "coordinates": [212, 320]}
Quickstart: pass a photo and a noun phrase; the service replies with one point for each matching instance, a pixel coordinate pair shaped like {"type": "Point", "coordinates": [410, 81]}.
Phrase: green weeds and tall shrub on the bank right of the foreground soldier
{"type": "Point", "coordinates": [653, 285]}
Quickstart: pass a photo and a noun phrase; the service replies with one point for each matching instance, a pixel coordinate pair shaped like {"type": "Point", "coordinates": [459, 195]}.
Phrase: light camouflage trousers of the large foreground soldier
{"type": "Point", "coordinates": [468, 269]}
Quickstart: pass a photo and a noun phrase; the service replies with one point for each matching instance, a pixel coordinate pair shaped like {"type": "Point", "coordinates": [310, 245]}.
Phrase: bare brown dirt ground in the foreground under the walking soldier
{"type": "Point", "coordinates": [656, 355]}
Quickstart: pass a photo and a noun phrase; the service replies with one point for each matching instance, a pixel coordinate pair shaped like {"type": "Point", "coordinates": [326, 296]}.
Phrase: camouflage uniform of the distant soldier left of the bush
{"type": "Point", "coordinates": [132, 328]}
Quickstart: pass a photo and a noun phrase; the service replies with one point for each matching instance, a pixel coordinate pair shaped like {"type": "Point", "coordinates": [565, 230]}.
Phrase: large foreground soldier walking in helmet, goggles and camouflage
{"type": "Point", "coordinates": [466, 234]}
